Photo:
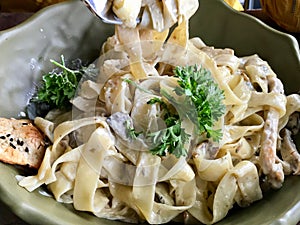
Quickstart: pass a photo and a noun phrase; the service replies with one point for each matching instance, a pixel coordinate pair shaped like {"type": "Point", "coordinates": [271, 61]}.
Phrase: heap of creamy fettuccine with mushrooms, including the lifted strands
{"type": "Point", "coordinates": [115, 177]}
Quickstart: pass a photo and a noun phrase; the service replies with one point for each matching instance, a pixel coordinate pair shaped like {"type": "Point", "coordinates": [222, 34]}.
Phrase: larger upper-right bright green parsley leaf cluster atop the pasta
{"type": "Point", "coordinates": [201, 91]}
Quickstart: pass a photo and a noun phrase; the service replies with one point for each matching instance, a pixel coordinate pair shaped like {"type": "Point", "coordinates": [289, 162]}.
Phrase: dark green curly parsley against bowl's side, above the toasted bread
{"type": "Point", "coordinates": [59, 86]}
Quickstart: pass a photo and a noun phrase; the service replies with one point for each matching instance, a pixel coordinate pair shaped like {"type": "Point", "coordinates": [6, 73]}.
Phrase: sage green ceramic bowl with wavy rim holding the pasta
{"type": "Point", "coordinates": [69, 28]}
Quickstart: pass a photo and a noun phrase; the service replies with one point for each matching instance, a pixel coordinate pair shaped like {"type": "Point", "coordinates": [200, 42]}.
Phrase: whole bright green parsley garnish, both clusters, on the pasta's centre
{"type": "Point", "coordinates": [202, 104]}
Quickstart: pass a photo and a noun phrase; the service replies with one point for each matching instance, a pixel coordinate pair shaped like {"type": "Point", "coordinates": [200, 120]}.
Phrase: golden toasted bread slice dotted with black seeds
{"type": "Point", "coordinates": [21, 143]}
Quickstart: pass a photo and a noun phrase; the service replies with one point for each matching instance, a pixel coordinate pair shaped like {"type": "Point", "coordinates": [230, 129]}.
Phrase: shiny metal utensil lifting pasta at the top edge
{"type": "Point", "coordinates": [103, 10]}
